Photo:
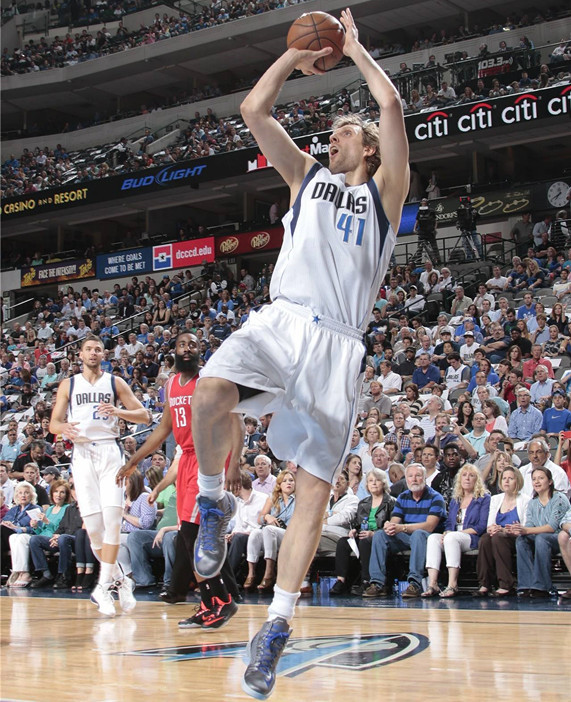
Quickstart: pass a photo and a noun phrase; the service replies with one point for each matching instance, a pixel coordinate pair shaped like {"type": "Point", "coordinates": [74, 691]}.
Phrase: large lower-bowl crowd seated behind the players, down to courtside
{"type": "Point", "coordinates": [450, 408]}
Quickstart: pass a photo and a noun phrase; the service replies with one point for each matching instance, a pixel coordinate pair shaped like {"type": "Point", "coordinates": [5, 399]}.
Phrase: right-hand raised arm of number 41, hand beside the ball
{"type": "Point", "coordinates": [392, 178]}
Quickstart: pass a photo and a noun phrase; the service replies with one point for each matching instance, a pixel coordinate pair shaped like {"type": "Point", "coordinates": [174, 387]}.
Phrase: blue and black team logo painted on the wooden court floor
{"type": "Point", "coordinates": [345, 652]}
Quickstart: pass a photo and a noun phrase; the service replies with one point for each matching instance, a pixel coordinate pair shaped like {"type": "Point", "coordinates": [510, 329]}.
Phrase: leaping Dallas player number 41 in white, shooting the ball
{"type": "Point", "coordinates": [301, 357]}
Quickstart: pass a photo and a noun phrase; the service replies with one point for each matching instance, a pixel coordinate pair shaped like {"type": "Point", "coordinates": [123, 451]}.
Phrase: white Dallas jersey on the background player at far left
{"type": "Point", "coordinates": [84, 399]}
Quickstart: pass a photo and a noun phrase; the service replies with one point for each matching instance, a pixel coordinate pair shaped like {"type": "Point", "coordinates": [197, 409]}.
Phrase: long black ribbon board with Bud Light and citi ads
{"type": "Point", "coordinates": [541, 106]}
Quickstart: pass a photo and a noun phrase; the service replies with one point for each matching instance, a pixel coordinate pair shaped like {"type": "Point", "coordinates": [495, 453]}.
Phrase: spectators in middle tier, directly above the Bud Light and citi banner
{"type": "Point", "coordinates": [209, 135]}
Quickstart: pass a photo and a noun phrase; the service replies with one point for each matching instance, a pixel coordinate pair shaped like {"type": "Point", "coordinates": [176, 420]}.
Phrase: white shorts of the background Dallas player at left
{"type": "Point", "coordinates": [94, 466]}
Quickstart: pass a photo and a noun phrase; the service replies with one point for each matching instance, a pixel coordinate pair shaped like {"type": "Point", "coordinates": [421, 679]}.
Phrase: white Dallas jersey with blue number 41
{"type": "Point", "coordinates": [336, 249]}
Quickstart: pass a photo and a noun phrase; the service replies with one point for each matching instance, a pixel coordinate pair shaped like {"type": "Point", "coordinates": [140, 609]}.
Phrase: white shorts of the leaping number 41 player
{"type": "Point", "coordinates": [309, 370]}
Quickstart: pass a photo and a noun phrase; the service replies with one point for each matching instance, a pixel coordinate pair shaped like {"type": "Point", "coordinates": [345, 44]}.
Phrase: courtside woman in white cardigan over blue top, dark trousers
{"type": "Point", "coordinates": [497, 545]}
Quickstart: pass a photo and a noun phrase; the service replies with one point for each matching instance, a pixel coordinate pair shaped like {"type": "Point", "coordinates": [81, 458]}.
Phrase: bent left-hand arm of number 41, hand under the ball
{"type": "Point", "coordinates": [274, 142]}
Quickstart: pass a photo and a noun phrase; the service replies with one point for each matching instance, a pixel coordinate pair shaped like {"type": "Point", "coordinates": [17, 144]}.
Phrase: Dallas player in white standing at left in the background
{"type": "Point", "coordinates": [86, 412]}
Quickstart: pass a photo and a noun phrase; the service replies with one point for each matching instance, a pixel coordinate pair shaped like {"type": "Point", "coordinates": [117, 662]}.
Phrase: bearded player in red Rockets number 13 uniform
{"type": "Point", "coordinates": [217, 605]}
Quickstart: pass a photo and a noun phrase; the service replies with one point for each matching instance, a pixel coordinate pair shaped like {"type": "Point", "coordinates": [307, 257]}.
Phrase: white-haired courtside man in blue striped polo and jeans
{"type": "Point", "coordinates": [418, 512]}
